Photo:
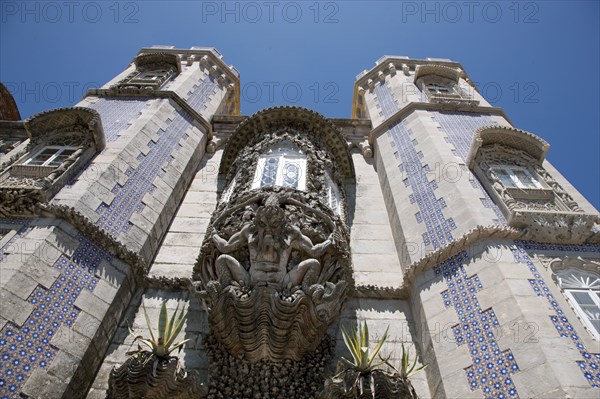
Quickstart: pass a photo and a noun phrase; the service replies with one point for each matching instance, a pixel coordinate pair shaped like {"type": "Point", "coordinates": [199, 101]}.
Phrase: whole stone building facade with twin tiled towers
{"type": "Point", "coordinates": [427, 212]}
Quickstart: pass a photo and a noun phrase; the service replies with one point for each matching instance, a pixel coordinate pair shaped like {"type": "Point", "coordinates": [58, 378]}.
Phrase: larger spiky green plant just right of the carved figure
{"type": "Point", "coordinates": [357, 342]}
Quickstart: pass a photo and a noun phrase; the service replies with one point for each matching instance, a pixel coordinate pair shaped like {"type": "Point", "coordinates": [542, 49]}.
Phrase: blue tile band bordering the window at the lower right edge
{"type": "Point", "coordinates": [523, 253]}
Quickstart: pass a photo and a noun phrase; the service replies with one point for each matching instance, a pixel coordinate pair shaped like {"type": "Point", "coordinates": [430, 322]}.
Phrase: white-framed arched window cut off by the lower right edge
{"type": "Point", "coordinates": [583, 292]}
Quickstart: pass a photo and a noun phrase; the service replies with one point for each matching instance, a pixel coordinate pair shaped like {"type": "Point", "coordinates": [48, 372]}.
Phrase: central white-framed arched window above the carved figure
{"type": "Point", "coordinates": [282, 165]}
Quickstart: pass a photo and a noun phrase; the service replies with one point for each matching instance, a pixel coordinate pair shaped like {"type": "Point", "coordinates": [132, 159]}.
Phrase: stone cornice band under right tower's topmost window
{"type": "Point", "coordinates": [417, 106]}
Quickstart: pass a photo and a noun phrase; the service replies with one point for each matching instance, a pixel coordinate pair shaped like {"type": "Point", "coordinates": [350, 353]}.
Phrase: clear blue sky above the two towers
{"type": "Point", "coordinates": [539, 60]}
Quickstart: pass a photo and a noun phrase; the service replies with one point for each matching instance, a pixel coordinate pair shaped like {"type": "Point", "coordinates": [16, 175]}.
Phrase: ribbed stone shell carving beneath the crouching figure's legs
{"type": "Point", "coordinates": [264, 323]}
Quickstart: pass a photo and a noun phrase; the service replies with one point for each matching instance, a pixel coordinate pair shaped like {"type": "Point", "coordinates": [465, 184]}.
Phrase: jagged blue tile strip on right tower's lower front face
{"type": "Point", "coordinates": [492, 367]}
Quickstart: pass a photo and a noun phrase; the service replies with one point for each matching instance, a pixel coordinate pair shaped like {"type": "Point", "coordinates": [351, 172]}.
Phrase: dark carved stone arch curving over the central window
{"type": "Point", "coordinates": [297, 118]}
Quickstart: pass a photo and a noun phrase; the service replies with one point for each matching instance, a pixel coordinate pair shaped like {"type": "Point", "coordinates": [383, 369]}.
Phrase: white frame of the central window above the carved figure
{"type": "Point", "coordinates": [285, 154]}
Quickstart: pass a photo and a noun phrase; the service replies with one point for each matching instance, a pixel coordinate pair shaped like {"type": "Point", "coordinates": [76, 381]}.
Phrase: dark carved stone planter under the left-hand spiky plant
{"type": "Point", "coordinates": [142, 377]}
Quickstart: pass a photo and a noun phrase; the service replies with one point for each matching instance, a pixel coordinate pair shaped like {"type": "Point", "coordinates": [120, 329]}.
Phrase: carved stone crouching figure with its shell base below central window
{"type": "Point", "coordinates": [271, 291]}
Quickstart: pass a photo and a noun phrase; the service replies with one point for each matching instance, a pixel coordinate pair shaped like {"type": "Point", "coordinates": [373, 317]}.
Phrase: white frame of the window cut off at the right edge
{"type": "Point", "coordinates": [591, 285]}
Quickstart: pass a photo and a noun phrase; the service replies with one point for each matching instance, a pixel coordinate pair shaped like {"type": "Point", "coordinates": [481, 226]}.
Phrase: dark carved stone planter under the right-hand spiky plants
{"type": "Point", "coordinates": [376, 384]}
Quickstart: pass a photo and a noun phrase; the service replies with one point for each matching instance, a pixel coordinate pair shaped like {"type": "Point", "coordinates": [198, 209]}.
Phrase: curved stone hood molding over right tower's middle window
{"type": "Point", "coordinates": [518, 139]}
